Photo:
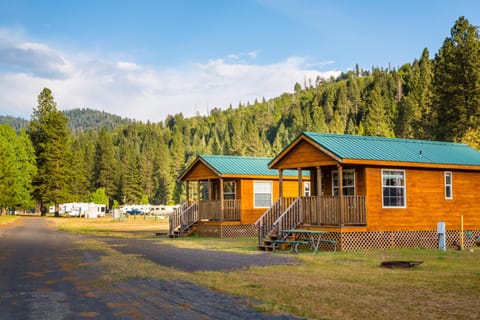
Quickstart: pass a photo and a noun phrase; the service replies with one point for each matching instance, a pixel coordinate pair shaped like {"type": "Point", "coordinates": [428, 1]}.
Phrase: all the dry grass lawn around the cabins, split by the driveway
{"type": "Point", "coordinates": [342, 285]}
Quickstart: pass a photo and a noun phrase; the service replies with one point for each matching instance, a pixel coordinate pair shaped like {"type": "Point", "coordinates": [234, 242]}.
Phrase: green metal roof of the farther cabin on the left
{"type": "Point", "coordinates": [251, 166]}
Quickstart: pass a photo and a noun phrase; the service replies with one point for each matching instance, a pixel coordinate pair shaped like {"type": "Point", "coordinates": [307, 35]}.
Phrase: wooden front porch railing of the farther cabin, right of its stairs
{"type": "Point", "coordinates": [212, 210]}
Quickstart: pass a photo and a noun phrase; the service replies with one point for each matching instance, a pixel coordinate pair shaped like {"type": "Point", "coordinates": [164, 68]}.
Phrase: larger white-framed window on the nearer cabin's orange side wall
{"type": "Point", "coordinates": [393, 189]}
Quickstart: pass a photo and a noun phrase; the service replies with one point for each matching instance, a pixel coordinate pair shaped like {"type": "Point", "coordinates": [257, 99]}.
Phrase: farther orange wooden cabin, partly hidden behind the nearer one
{"type": "Point", "coordinates": [227, 194]}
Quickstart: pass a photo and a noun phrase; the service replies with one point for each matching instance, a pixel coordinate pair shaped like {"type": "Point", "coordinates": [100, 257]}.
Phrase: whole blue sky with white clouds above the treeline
{"type": "Point", "coordinates": [147, 59]}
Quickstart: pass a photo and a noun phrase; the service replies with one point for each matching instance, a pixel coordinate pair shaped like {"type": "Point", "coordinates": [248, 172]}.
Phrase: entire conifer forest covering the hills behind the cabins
{"type": "Point", "coordinates": [57, 157]}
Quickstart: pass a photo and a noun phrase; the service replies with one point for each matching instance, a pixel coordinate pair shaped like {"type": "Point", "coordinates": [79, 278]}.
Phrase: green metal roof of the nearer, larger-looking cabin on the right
{"type": "Point", "coordinates": [392, 149]}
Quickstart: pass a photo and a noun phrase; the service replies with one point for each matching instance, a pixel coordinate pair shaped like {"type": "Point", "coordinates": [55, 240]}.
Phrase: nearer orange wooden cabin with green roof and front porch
{"type": "Point", "coordinates": [375, 193]}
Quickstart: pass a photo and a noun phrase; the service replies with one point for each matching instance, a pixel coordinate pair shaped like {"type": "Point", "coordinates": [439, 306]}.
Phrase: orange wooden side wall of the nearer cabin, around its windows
{"type": "Point", "coordinates": [425, 201]}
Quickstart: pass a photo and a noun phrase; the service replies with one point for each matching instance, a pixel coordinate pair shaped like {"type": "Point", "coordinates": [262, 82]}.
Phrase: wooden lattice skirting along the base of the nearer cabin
{"type": "Point", "coordinates": [353, 241]}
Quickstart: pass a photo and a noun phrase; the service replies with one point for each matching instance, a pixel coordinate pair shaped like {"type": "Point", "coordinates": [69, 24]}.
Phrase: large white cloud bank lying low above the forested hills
{"type": "Point", "coordinates": [137, 91]}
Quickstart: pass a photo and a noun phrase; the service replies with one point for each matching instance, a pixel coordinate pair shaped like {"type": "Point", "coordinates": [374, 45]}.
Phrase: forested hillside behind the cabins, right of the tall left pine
{"type": "Point", "coordinates": [433, 98]}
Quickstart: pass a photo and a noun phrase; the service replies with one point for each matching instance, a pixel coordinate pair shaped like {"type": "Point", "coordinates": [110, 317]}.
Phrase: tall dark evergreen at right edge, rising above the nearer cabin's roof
{"type": "Point", "coordinates": [457, 82]}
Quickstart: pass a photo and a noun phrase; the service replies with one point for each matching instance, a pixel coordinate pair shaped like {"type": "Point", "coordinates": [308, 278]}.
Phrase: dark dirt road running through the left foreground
{"type": "Point", "coordinates": [40, 279]}
